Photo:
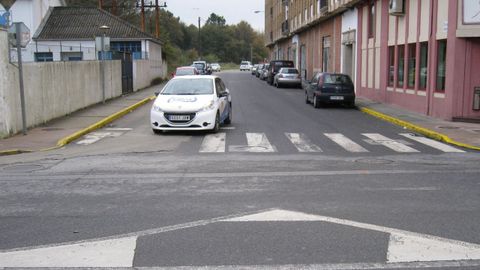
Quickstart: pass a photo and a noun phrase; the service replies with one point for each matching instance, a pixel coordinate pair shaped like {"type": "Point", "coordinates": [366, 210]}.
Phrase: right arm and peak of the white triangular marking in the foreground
{"type": "Point", "coordinates": [404, 246]}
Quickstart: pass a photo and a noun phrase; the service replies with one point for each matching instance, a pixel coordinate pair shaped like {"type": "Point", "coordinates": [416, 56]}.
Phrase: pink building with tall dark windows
{"type": "Point", "coordinates": [423, 55]}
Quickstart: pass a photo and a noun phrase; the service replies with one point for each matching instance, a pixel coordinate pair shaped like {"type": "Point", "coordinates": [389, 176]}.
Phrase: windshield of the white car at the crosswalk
{"type": "Point", "coordinates": [189, 87]}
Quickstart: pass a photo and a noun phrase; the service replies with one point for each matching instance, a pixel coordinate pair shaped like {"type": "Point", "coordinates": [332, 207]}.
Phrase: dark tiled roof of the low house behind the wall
{"type": "Point", "coordinates": [81, 23]}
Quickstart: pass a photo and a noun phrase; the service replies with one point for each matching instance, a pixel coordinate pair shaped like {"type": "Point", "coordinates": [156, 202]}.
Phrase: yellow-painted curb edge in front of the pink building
{"type": "Point", "coordinates": [424, 131]}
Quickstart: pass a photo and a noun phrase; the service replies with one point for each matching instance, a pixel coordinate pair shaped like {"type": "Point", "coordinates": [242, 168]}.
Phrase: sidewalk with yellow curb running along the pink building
{"type": "Point", "coordinates": [458, 133]}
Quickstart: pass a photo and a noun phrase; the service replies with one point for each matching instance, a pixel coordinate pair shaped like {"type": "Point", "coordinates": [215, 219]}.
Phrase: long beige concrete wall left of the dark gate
{"type": "Point", "coordinates": [51, 89]}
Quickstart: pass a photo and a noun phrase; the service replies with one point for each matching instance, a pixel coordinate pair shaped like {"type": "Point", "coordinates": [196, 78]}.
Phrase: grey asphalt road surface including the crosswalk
{"type": "Point", "coordinates": [300, 200]}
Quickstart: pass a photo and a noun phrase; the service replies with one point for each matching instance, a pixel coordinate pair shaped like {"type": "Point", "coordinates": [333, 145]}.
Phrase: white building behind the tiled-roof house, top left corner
{"type": "Point", "coordinates": [31, 13]}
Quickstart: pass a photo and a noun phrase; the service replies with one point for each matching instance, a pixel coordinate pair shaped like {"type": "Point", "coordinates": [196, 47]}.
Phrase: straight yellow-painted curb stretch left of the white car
{"type": "Point", "coordinates": [64, 141]}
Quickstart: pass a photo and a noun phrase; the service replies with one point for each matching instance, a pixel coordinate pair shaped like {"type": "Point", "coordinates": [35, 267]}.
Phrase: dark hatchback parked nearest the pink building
{"type": "Point", "coordinates": [330, 88]}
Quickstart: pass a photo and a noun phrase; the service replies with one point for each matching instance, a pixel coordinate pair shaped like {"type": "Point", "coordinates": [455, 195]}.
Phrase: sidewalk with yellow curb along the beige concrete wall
{"type": "Point", "coordinates": [60, 131]}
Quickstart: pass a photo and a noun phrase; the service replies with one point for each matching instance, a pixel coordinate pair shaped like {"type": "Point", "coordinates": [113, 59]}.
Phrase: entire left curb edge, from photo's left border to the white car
{"type": "Point", "coordinates": [66, 140]}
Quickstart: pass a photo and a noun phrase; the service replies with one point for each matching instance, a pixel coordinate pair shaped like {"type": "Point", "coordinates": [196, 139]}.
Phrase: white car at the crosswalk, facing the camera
{"type": "Point", "coordinates": [192, 103]}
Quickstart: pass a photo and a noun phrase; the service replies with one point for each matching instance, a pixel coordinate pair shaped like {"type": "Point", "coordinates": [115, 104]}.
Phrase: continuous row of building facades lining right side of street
{"type": "Point", "coordinates": [422, 55]}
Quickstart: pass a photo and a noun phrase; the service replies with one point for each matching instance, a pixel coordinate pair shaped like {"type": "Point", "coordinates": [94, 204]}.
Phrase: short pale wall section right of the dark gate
{"type": "Point", "coordinates": [144, 71]}
